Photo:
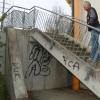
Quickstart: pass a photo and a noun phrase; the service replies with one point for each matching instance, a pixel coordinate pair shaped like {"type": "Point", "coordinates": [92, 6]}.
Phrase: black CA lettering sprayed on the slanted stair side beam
{"type": "Point", "coordinates": [72, 64]}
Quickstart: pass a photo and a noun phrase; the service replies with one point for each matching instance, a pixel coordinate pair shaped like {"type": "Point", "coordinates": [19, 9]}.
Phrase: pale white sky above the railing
{"type": "Point", "coordinates": [48, 4]}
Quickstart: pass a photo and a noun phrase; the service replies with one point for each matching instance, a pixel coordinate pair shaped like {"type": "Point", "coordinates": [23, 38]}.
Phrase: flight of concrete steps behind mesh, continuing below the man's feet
{"type": "Point", "coordinates": [75, 47]}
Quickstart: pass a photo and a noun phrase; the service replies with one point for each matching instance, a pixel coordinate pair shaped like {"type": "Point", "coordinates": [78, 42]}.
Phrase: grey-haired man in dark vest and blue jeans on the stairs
{"type": "Point", "coordinates": [92, 20]}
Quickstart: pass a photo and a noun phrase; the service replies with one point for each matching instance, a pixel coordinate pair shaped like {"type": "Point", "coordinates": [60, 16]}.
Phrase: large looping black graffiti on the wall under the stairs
{"type": "Point", "coordinates": [39, 60]}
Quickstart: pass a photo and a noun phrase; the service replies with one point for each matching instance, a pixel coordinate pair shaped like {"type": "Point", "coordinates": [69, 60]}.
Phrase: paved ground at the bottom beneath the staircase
{"type": "Point", "coordinates": [63, 94]}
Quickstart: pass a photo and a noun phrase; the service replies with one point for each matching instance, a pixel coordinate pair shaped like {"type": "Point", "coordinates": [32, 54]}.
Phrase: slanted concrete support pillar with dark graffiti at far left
{"type": "Point", "coordinates": [15, 78]}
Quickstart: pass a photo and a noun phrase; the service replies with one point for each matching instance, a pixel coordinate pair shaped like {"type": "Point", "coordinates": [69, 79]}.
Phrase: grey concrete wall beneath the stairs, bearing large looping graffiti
{"type": "Point", "coordinates": [41, 70]}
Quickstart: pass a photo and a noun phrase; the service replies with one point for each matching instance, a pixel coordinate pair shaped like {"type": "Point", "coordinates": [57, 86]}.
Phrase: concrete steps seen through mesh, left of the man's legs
{"type": "Point", "coordinates": [72, 45]}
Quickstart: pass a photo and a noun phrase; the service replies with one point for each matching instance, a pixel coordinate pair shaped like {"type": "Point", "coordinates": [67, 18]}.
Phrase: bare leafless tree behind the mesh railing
{"type": "Point", "coordinates": [53, 21]}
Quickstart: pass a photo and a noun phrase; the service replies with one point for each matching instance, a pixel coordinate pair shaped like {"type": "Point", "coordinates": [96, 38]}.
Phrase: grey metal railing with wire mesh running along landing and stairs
{"type": "Point", "coordinates": [50, 22]}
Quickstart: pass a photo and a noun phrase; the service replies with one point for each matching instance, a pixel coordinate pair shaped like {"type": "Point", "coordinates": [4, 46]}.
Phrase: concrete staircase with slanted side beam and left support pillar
{"type": "Point", "coordinates": [68, 52]}
